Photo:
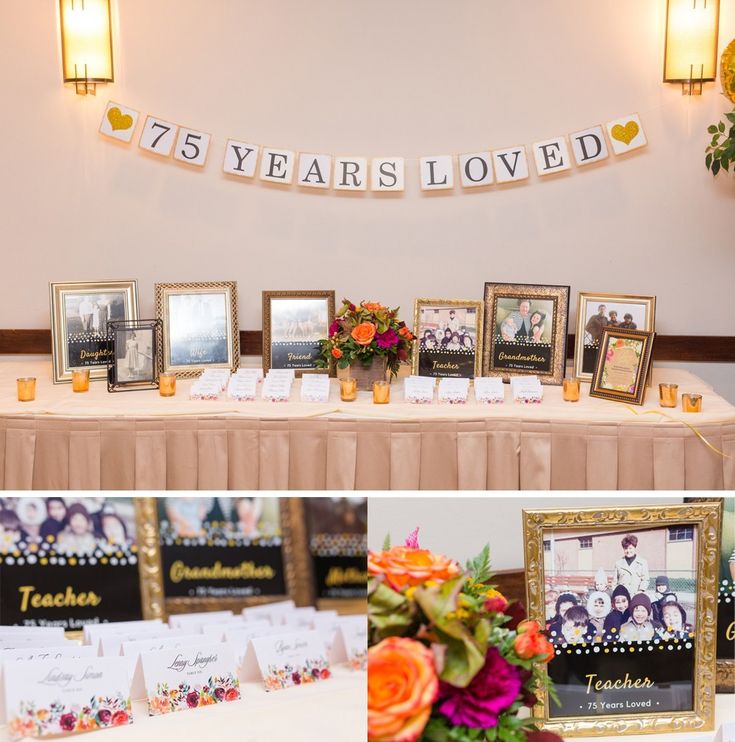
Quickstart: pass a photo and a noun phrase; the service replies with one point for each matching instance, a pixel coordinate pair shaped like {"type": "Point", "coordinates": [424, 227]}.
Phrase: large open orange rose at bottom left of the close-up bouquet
{"type": "Point", "coordinates": [402, 686]}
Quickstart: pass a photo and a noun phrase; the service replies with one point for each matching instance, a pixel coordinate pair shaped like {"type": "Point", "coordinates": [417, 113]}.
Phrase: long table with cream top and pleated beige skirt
{"type": "Point", "coordinates": [140, 440]}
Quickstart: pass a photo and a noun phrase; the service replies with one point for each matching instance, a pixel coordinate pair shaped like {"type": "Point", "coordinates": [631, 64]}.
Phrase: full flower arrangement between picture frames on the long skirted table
{"type": "Point", "coordinates": [360, 333]}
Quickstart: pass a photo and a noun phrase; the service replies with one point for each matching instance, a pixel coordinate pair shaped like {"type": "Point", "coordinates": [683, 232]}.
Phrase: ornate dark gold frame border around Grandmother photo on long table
{"type": "Point", "coordinates": [559, 295]}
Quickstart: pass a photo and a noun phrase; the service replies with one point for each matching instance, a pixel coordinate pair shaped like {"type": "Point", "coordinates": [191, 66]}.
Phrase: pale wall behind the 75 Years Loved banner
{"type": "Point", "coordinates": [419, 77]}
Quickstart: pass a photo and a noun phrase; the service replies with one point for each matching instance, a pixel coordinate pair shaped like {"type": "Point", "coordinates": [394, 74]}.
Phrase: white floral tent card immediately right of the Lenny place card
{"type": "Point", "coordinates": [283, 660]}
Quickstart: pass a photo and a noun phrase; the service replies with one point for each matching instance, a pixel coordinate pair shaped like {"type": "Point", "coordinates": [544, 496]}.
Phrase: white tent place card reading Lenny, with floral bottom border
{"type": "Point", "coordinates": [189, 677]}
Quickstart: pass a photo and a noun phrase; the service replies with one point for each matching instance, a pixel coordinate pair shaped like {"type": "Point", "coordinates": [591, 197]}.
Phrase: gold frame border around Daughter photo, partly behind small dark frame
{"type": "Point", "coordinates": [59, 350]}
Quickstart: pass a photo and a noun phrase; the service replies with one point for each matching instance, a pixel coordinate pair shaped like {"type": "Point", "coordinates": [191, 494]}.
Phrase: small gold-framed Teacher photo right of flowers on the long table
{"type": "Point", "coordinates": [448, 338]}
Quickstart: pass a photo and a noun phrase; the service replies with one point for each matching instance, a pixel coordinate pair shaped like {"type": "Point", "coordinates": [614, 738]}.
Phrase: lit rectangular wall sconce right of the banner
{"type": "Point", "coordinates": [690, 55]}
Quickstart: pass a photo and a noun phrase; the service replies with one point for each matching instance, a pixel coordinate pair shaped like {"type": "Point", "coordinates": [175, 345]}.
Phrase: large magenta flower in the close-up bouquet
{"type": "Point", "coordinates": [492, 691]}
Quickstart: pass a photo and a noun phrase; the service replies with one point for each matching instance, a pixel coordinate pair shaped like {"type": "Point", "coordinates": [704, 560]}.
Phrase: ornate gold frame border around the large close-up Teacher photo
{"type": "Point", "coordinates": [706, 518]}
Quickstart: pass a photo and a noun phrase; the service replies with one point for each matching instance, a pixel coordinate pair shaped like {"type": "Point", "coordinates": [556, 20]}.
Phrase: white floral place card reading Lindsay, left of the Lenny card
{"type": "Point", "coordinates": [51, 697]}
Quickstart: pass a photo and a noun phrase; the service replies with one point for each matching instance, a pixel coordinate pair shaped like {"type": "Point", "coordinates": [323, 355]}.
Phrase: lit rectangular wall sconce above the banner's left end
{"type": "Point", "coordinates": [86, 43]}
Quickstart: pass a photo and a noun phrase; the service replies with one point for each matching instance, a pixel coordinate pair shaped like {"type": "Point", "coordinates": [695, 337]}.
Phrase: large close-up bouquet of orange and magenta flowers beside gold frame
{"type": "Point", "coordinates": [450, 658]}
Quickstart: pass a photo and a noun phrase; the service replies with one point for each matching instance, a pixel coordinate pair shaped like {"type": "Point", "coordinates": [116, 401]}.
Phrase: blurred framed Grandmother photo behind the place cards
{"type": "Point", "coordinates": [220, 553]}
